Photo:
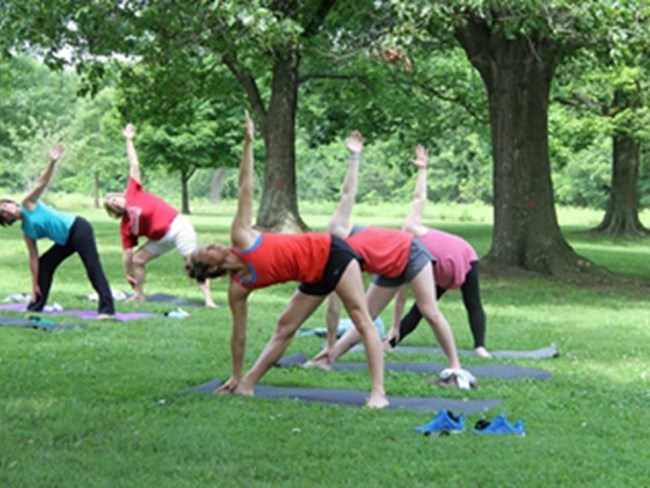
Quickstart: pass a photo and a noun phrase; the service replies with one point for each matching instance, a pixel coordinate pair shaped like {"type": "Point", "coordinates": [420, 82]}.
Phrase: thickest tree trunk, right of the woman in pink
{"type": "Point", "coordinates": [517, 75]}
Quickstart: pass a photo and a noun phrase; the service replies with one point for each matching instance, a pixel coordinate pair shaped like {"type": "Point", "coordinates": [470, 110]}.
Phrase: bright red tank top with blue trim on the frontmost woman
{"type": "Point", "coordinates": [278, 258]}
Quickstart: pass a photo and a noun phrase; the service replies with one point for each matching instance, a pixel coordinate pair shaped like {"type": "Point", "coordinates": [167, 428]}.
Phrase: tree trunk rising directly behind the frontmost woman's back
{"type": "Point", "coordinates": [278, 210]}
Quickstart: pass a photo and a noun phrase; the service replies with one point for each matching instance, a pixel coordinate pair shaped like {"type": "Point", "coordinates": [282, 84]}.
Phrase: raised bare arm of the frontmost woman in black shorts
{"type": "Point", "coordinates": [241, 230]}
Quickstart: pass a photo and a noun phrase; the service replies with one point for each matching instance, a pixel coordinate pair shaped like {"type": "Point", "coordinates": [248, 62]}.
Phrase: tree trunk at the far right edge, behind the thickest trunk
{"type": "Point", "coordinates": [622, 215]}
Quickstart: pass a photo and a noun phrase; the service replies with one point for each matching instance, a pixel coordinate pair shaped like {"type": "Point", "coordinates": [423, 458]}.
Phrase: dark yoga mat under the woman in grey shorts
{"type": "Point", "coordinates": [503, 371]}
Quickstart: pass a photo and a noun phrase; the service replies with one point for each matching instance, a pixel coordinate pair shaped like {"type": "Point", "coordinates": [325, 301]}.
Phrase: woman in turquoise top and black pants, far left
{"type": "Point", "coordinates": [70, 234]}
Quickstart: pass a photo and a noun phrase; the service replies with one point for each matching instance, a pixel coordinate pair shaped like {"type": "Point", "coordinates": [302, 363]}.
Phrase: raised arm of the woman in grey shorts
{"type": "Point", "coordinates": [339, 223]}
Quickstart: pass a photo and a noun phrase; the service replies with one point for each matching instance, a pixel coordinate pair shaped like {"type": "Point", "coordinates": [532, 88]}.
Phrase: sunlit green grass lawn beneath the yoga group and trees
{"type": "Point", "coordinates": [100, 406]}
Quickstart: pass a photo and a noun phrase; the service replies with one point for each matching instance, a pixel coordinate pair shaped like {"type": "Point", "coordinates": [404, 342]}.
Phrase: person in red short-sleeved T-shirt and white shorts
{"type": "Point", "coordinates": [144, 214]}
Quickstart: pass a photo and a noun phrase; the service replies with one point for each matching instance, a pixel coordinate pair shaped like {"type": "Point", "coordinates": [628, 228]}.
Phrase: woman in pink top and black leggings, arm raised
{"type": "Point", "coordinates": [456, 266]}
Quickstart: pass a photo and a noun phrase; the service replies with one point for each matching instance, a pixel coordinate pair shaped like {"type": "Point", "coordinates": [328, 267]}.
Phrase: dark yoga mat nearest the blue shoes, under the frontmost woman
{"type": "Point", "coordinates": [357, 398]}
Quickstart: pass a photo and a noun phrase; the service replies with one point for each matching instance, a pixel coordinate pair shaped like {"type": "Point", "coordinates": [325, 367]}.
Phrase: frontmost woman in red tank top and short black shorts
{"type": "Point", "coordinates": [321, 262]}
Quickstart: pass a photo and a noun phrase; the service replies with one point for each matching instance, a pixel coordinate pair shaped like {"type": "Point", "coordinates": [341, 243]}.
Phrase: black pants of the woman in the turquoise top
{"type": "Point", "coordinates": [82, 241]}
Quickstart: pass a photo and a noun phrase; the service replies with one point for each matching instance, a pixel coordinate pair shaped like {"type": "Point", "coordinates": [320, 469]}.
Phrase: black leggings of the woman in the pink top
{"type": "Point", "coordinates": [472, 301]}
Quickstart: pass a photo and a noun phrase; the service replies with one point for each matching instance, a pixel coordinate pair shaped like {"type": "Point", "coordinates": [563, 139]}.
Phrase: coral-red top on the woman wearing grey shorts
{"type": "Point", "coordinates": [384, 251]}
